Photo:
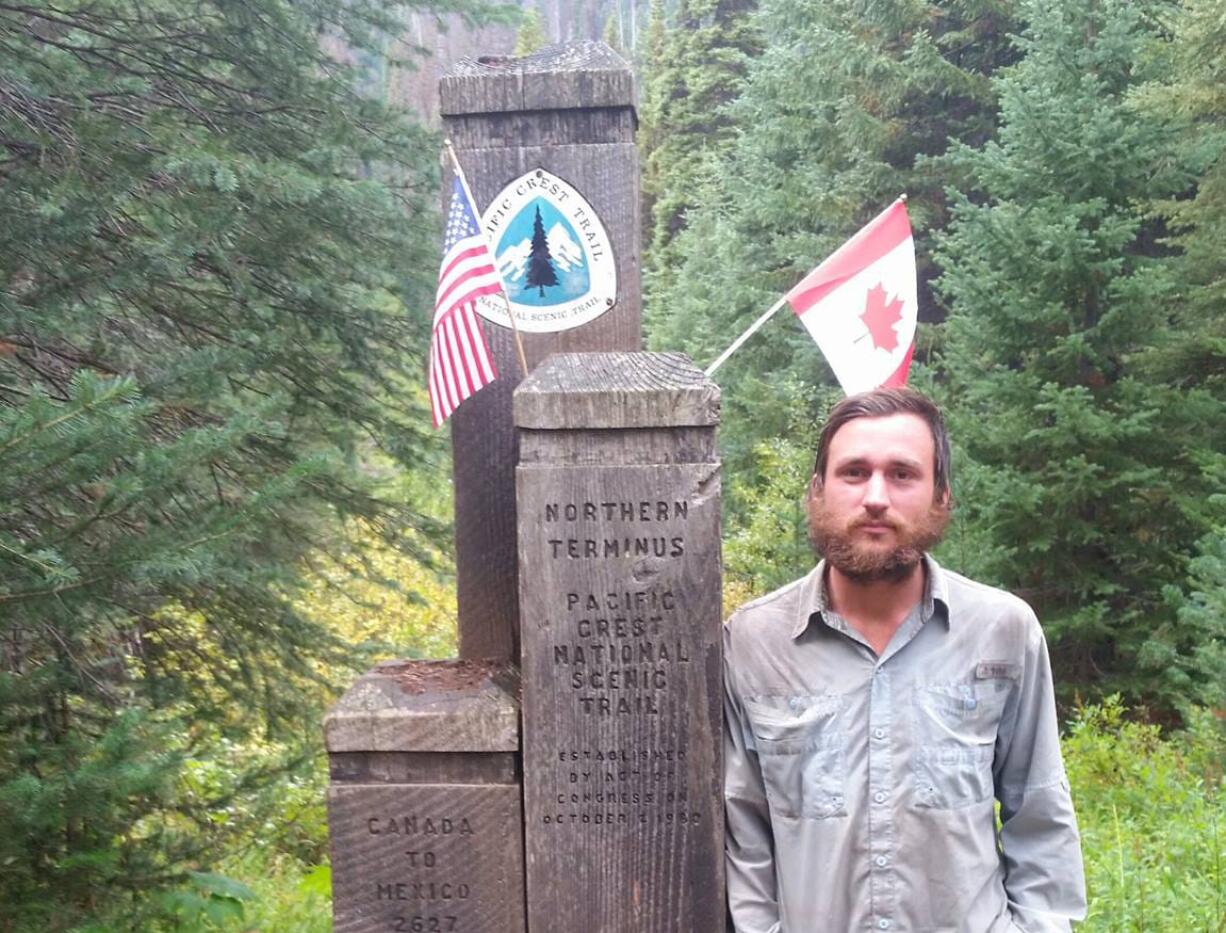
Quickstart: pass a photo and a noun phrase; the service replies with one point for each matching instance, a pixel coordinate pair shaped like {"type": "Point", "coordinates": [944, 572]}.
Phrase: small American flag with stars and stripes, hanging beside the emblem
{"type": "Point", "coordinates": [460, 361]}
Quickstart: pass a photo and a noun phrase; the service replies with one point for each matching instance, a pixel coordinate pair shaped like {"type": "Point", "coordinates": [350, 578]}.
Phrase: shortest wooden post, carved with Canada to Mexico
{"type": "Point", "coordinates": [425, 804]}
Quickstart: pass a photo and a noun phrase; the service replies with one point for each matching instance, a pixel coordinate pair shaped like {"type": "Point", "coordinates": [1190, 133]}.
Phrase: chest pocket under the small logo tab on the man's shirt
{"type": "Point", "coordinates": [956, 742]}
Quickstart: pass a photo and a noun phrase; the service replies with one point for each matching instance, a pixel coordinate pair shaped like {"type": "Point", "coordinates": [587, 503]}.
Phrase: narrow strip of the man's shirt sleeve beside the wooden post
{"type": "Point", "coordinates": [750, 844]}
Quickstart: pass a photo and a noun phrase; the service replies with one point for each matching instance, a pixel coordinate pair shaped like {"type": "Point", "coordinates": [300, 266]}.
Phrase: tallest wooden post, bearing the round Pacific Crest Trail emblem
{"type": "Point", "coordinates": [550, 133]}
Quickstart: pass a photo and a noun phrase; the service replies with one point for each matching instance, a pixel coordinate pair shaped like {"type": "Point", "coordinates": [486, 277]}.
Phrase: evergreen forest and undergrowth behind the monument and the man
{"type": "Point", "coordinates": [220, 497]}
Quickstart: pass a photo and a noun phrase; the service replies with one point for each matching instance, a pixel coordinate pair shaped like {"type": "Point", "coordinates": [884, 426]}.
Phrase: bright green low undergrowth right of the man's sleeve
{"type": "Point", "coordinates": [1153, 820]}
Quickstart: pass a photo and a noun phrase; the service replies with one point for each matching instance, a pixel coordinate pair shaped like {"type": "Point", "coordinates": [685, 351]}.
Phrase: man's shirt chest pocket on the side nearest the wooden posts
{"type": "Point", "coordinates": [802, 750]}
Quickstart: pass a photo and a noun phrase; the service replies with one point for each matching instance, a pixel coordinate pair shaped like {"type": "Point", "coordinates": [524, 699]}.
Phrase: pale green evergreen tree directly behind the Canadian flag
{"type": "Point", "coordinates": [832, 124]}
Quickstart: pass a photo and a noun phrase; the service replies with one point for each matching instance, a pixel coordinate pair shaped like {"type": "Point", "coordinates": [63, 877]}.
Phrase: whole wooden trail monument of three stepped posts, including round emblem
{"type": "Point", "coordinates": [563, 775]}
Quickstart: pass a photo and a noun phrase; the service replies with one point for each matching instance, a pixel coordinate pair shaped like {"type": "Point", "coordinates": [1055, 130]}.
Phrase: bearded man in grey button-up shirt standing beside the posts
{"type": "Point", "coordinates": [880, 708]}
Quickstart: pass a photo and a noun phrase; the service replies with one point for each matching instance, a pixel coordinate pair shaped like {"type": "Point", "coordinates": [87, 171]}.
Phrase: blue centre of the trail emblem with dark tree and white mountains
{"type": "Point", "coordinates": [540, 258]}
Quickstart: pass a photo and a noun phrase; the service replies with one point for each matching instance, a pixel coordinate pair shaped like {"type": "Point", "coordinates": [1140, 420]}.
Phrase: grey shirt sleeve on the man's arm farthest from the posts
{"type": "Point", "coordinates": [1041, 848]}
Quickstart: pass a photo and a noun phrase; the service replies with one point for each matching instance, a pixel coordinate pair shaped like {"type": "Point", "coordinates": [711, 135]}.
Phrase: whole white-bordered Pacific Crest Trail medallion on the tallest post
{"type": "Point", "coordinates": [552, 253]}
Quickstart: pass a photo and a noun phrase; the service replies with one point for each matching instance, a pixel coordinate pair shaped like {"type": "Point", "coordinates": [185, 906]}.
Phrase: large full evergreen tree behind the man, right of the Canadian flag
{"type": "Point", "coordinates": [1083, 487]}
